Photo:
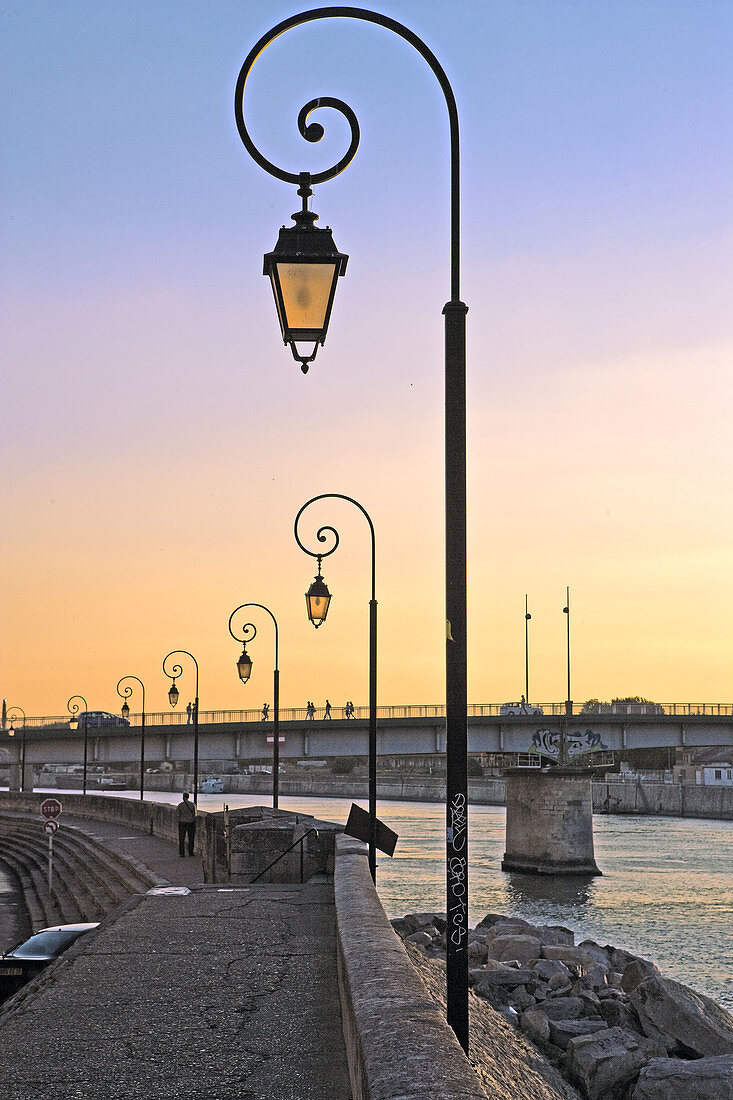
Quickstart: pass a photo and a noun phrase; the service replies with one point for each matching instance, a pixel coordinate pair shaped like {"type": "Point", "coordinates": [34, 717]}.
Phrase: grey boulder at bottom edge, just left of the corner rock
{"type": "Point", "coordinates": [607, 1063]}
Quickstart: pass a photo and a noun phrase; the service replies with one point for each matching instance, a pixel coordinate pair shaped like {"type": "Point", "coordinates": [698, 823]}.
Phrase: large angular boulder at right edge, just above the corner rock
{"type": "Point", "coordinates": [693, 1020]}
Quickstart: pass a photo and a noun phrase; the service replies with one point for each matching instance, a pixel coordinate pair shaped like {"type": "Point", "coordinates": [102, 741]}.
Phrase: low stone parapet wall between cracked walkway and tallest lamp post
{"type": "Point", "coordinates": [396, 1037]}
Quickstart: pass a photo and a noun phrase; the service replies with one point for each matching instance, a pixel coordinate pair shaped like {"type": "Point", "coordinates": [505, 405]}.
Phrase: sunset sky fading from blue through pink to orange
{"type": "Point", "coordinates": [159, 439]}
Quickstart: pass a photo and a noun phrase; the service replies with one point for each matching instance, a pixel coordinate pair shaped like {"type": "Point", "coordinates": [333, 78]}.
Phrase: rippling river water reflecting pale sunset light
{"type": "Point", "coordinates": [666, 893]}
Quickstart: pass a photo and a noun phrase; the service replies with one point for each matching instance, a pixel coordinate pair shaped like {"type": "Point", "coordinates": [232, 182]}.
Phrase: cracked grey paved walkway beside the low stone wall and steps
{"type": "Point", "coordinates": [211, 991]}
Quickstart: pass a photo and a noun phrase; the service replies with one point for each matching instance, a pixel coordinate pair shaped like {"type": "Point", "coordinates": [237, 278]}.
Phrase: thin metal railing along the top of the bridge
{"type": "Point", "coordinates": [408, 711]}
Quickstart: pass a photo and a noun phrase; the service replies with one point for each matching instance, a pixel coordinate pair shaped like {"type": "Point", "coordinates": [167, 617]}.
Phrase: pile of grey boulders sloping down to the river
{"type": "Point", "coordinates": [607, 1019]}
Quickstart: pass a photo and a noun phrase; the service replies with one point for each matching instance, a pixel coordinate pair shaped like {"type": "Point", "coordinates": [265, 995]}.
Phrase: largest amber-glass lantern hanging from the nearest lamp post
{"type": "Point", "coordinates": [304, 269]}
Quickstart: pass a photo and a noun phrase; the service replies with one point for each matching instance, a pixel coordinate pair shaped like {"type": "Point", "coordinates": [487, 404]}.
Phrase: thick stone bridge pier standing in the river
{"type": "Point", "coordinates": [550, 822]}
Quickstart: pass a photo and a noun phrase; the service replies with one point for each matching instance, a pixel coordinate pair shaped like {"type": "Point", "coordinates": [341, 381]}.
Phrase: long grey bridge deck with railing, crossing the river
{"type": "Point", "coordinates": [402, 731]}
